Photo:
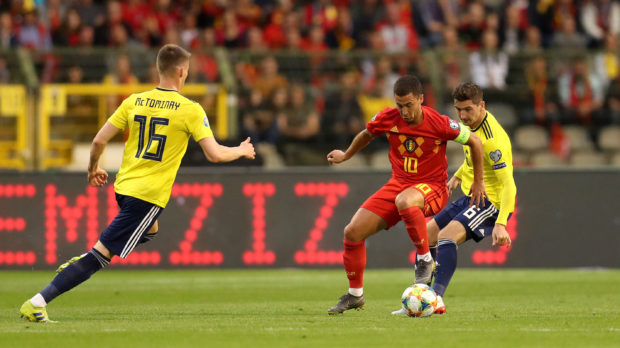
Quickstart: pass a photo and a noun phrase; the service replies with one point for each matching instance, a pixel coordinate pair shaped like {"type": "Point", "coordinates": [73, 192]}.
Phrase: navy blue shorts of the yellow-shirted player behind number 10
{"type": "Point", "coordinates": [478, 222]}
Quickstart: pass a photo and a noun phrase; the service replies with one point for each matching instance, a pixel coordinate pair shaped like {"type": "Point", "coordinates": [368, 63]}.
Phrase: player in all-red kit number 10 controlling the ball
{"type": "Point", "coordinates": [417, 136]}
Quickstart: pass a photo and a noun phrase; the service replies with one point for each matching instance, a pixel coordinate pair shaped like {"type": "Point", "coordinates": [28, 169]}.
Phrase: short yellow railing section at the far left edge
{"type": "Point", "coordinates": [13, 148]}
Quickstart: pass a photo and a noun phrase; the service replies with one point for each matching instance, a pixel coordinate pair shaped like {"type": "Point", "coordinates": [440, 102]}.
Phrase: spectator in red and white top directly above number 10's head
{"type": "Point", "coordinates": [397, 36]}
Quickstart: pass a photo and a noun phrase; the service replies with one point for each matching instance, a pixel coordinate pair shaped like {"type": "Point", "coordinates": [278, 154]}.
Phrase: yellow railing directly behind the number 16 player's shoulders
{"type": "Point", "coordinates": [53, 103]}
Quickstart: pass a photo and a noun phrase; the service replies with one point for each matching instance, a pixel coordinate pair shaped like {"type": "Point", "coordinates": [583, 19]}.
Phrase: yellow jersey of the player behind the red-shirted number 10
{"type": "Point", "coordinates": [498, 178]}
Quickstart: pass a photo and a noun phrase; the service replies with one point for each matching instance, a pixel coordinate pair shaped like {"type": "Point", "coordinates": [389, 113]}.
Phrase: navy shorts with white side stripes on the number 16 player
{"type": "Point", "coordinates": [134, 219]}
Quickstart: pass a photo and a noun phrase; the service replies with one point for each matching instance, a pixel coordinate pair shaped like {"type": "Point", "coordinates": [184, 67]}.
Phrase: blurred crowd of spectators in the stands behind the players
{"type": "Point", "coordinates": [298, 92]}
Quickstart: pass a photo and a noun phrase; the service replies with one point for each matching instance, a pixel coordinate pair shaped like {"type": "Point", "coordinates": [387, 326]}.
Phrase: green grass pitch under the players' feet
{"type": "Point", "coordinates": [288, 308]}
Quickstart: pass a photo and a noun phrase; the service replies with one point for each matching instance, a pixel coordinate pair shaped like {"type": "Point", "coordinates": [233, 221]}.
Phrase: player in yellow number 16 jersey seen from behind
{"type": "Point", "coordinates": [160, 123]}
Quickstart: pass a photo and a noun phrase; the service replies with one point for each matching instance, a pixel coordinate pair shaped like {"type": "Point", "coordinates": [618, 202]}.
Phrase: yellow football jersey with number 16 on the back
{"type": "Point", "coordinates": [160, 122]}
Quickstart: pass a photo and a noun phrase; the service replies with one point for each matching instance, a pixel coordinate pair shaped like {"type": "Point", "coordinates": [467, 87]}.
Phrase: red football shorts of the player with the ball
{"type": "Point", "coordinates": [383, 203]}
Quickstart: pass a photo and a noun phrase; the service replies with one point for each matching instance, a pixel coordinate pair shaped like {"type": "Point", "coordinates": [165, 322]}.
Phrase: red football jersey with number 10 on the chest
{"type": "Point", "coordinates": [417, 154]}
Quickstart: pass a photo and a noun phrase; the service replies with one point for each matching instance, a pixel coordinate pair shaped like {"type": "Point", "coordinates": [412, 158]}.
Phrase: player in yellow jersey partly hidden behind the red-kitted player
{"type": "Point", "coordinates": [460, 222]}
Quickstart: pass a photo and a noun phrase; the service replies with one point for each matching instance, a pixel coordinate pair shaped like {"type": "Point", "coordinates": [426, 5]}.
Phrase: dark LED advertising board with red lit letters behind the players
{"type": "Point", "coordinates": [225, 218]}
